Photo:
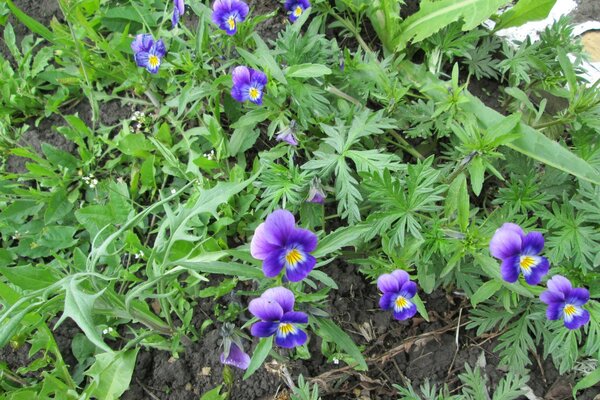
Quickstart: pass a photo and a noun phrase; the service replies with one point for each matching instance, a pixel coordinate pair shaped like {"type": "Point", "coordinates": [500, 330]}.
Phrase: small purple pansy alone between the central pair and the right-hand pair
{"type": "Point", "coordinates": [397, 290]}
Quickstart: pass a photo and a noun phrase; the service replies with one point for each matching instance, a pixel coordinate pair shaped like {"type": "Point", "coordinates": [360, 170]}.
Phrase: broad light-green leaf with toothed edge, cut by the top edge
{"type": "Point", "coordinates": [435, 15]}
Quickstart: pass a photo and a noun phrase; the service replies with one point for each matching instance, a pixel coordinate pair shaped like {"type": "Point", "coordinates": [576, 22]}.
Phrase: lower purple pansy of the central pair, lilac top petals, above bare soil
{"type": "Point", "coordinates": [275, 309]}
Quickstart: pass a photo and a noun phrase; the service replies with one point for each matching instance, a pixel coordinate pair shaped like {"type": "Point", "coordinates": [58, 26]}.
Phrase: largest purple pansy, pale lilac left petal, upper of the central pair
{"type": "Point", "coordinates": [280, 245]}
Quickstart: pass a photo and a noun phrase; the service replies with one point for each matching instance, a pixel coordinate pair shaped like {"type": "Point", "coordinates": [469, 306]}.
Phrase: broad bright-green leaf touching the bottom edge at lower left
{"type": "Point", "coordinates": [111, 374]}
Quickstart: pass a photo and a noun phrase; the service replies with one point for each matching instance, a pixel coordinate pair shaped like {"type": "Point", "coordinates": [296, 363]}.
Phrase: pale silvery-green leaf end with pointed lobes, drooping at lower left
{"type": "Point", "coordinates": [79, 306]}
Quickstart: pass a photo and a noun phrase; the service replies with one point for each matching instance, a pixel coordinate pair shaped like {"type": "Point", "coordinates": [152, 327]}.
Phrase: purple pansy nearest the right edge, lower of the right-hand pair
{"type": "Point", "coordinates": [565, 301]}
